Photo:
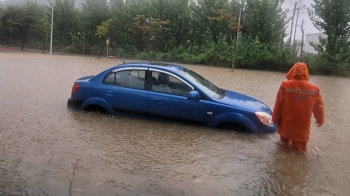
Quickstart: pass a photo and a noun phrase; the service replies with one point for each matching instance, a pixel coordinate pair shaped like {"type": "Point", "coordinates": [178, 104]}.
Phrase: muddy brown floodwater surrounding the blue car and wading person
{"type": "Point", "coordinates": [48, 149]}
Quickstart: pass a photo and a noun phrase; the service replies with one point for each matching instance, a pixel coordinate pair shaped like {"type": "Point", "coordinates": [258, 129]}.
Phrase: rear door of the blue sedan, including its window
{"type": "Point", "coordinates": [125, 91]}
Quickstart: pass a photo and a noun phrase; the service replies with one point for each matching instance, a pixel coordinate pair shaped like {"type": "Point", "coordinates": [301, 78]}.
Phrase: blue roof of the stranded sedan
{"type": "Point", "coordinates": [156, 65]}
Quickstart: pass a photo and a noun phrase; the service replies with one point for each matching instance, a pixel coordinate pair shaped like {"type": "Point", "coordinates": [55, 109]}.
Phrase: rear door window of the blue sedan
{"type": "Point", "coordinates": [130, 78]}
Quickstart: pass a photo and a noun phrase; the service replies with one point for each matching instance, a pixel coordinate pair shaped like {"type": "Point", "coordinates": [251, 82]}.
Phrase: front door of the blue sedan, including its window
{"type": "Point", "coordinates": [167, 97]}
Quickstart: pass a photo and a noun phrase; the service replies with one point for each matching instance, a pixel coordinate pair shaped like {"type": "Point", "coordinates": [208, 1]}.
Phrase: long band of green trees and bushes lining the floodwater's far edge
{"type": "Point", "coordinates": [190, 31]}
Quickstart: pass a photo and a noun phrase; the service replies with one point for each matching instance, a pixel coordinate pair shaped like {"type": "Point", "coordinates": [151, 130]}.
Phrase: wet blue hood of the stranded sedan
{"type": "Point", "coordinates": [244, 102]}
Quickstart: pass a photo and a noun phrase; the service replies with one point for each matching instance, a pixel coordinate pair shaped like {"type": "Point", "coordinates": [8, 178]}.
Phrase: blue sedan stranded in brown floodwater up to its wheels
{"type": "Point", "coordinates": [169, 91]}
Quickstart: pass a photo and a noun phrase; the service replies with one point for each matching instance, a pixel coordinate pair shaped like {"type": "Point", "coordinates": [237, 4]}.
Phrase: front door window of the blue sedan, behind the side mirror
{"type": "Point", "coordinates": [166, 83]}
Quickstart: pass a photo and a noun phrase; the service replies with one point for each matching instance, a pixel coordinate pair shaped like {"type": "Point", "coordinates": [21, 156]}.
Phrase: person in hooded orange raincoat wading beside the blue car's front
{"type": "Point", "coordinates": [297, 99]}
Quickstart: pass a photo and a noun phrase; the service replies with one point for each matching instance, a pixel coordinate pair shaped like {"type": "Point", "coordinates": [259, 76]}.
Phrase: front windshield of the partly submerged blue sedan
{"type": "Point", "coordinates": [203, 84]}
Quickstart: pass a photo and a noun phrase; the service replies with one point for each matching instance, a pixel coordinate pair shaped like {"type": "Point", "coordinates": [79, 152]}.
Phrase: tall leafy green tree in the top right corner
{"type": "Point", "coordinates": [333, 19]}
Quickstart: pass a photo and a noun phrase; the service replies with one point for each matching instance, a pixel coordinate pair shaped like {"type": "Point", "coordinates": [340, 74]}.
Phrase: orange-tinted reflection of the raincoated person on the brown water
{"type": "Point", "coordinates": [286, 173]}
